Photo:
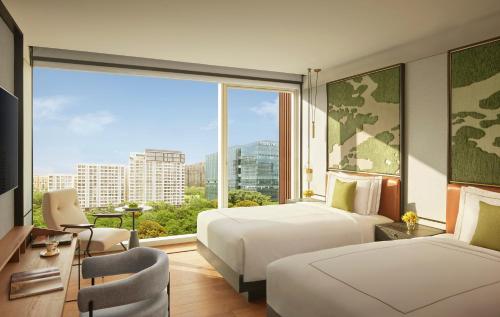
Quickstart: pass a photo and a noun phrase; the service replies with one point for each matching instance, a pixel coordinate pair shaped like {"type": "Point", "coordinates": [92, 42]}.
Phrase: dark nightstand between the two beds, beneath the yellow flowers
{"type": "Point", "coordinates": [398, 230]}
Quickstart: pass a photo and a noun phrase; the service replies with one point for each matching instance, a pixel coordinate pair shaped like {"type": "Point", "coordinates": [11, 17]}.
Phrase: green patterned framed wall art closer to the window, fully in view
{"type": "Point", "coordinates": [364, 122]}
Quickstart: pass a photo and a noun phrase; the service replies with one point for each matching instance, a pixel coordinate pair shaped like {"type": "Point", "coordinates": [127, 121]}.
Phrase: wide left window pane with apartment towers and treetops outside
{"type": "Point", "coordinates": [119, 138]}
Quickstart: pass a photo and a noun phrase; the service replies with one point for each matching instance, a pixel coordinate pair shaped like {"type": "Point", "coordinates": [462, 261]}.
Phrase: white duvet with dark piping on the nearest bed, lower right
{"type": "Point", "coordinates": [437, 276]}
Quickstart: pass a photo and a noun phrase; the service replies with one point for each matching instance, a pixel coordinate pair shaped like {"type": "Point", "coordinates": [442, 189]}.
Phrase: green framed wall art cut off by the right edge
{"type": "Point", "coordinates": [474, 97]}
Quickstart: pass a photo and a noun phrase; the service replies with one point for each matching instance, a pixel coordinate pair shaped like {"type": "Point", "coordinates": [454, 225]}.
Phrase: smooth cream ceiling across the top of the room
{"type": "Point", "coordinates": [279, 35]}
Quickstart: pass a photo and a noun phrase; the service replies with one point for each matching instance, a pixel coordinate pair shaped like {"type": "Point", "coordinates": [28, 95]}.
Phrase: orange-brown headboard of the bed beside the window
{"type": "Point", "coordinates": [390, 196]}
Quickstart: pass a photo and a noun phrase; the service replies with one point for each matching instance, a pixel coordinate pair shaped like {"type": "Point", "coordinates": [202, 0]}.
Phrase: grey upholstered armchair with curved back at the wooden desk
{"type": "Point", "coordinates": [143, 294]}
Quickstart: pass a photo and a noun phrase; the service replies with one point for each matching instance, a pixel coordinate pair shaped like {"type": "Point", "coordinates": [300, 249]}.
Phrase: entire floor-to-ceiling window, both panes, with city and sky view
{"type": "Point", "coordinates": [119, 138]}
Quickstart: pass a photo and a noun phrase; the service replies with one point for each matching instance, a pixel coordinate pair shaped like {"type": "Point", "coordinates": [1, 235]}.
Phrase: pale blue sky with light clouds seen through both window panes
{"type": "Point", "coordinates": [91, 117]}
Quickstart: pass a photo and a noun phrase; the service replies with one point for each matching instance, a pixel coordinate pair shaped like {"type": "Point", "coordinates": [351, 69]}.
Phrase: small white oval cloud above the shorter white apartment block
{"type": "Point", "coordinates": [90, 123]}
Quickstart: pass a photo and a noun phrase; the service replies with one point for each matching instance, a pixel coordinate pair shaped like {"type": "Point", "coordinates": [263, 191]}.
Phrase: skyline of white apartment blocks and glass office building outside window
{"type": "Point", "coordinates": [163, 175]}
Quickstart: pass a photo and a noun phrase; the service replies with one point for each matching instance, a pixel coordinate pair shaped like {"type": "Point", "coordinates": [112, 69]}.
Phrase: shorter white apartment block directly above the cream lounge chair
{"type": "Point", "coordinates": [100, 185]}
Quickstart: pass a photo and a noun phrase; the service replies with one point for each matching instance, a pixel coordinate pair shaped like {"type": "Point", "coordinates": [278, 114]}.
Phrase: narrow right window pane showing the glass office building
{"type": "Point", "coordinates": [253, 146]}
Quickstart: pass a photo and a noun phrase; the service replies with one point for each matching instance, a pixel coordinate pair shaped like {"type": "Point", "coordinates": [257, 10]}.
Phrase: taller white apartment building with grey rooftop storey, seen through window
{"type": "Point", "coordinates": [156, 175]}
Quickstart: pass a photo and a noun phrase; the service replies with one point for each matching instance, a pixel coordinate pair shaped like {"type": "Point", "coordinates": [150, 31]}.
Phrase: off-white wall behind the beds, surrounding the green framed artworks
{"type": "Point", "coordinates": [425, 111]}
